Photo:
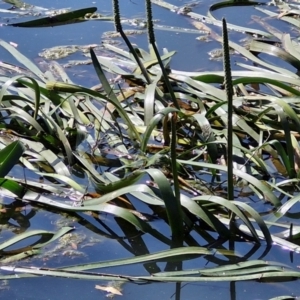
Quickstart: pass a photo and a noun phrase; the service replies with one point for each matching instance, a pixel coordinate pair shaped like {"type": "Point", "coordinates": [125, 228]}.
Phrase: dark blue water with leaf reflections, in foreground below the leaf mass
{"type": "Point", "coordinates": [102, 237]}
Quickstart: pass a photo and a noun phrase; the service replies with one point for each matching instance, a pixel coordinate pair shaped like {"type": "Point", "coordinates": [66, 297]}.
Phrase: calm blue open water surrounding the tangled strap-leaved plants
{"type": "Point", "coordinates": [105, 238]}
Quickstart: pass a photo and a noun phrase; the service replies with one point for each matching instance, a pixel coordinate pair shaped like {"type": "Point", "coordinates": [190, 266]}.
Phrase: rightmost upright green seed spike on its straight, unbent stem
{"type": "Point", "coordinates": [229, 93]}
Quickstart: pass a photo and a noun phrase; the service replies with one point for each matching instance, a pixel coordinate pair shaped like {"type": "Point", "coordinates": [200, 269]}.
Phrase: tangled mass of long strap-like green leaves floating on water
{"type": "Point", "coordinates": [182, 146]}
